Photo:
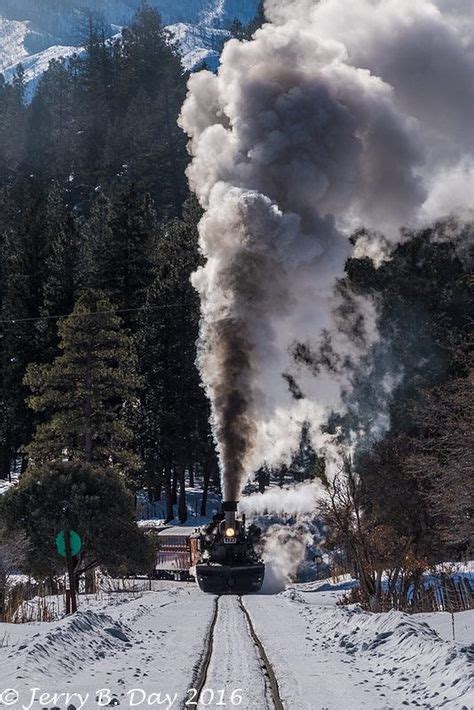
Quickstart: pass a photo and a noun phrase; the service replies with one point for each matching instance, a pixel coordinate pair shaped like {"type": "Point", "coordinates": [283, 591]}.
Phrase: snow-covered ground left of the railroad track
{"type": "Point", "coordinates": [120, 642]}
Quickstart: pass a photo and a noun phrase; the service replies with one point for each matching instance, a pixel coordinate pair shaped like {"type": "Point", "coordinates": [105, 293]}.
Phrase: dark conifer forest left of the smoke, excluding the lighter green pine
{"type": "Point", "coordinates": [94, 196]}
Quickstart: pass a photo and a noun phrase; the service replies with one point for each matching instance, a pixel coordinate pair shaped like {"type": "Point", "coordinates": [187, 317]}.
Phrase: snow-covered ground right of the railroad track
{"type": "Point", "coordinates": [341, 658]}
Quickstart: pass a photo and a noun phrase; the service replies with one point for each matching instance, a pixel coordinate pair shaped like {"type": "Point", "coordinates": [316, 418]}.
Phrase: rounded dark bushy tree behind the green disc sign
{"type": "Point", "coordinates": [93, 501]}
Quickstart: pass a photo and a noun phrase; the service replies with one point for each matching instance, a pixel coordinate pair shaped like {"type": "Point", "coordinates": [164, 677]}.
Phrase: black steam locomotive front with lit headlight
{"type": "Point", "coordinates": [229, 562]}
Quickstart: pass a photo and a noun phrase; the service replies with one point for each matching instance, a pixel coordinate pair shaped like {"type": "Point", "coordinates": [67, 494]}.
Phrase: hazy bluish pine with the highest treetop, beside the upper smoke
{"type": "Point", "coordinates": [153, 78]}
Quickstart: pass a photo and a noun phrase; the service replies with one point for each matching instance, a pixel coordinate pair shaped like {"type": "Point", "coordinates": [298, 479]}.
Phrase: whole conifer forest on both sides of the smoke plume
{"type": "Point", "coordinates": [96, 217]}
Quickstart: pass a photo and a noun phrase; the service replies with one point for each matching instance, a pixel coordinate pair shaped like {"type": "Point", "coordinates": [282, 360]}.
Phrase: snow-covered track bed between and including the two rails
{"type": "Point", "coordinates": [234, 661]}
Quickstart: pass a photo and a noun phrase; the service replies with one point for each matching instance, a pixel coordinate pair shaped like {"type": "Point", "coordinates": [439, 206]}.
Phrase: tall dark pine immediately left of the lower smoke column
{"type": "Point", "coordinates": [174, 425]}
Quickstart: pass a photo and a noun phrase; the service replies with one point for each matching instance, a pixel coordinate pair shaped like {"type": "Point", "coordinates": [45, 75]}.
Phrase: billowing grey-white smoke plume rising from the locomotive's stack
{"type": "Point", "coordinates": [336, 115]}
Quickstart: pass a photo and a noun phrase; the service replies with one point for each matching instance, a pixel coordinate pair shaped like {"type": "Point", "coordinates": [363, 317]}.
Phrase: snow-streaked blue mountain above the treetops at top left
{"type": "Point", "coordinates": [33, 32]}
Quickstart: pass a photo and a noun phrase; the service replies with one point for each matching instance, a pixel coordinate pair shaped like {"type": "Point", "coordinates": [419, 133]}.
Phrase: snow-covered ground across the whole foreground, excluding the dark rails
{"type": "Point", "coordinates": [323, 656]}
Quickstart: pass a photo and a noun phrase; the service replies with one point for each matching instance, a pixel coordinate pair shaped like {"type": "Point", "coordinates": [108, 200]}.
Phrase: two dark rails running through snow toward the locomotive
{"type": "Point", "coordinates": [202, 681]}
